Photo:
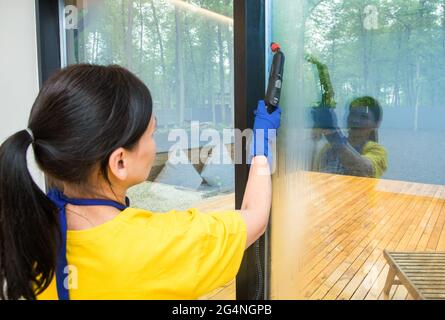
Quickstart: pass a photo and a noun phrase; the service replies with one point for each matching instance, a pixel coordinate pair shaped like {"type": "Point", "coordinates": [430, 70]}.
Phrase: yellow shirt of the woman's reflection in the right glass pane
{"type": "Point", "coordinates": [374, 152]}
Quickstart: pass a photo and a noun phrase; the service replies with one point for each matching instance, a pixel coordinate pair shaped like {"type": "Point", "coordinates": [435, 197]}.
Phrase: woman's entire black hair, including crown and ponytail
{"type": "Point", "coordinates": [82, 114]}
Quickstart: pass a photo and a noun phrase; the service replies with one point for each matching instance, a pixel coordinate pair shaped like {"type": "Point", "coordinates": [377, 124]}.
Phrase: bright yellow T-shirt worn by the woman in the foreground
{"type": "Point", "coordinates": [141, 255]}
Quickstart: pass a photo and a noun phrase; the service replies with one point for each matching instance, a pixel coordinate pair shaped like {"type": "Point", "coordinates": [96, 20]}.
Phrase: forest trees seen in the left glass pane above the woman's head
{"type": "Point", "coordinates": [182, 50]}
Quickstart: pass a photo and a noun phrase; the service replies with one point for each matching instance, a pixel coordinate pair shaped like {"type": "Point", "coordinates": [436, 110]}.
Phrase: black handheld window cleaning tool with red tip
{"type": "Point", "coordinates": [273, 93]}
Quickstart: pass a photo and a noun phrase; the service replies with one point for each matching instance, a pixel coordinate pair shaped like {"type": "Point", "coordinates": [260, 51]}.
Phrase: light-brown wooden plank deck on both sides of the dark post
{"type": "Point", "coordinates": [349, 222]}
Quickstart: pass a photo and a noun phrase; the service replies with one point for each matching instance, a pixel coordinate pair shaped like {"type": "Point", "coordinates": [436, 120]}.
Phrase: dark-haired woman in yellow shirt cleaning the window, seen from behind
{"type": "Point", "coordinates": [91, 128]}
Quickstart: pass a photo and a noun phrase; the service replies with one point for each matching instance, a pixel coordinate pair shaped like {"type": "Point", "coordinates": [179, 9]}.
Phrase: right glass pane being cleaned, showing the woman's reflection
{"type": "Point", "coordinates": [362, 144]}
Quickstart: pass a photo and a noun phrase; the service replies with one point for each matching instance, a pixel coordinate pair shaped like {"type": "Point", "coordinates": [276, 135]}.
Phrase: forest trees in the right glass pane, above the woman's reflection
{"type": "Point", "coordinates": [393, 50]}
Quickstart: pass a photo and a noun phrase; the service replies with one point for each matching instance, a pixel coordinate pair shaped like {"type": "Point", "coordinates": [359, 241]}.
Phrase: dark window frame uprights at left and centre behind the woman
{"type": "Point", "coordinates": [249, 47]}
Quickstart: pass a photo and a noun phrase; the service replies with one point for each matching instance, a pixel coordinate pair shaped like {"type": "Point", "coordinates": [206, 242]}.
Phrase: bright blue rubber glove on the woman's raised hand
{"type": "Point", "coordinates": [264, 131]}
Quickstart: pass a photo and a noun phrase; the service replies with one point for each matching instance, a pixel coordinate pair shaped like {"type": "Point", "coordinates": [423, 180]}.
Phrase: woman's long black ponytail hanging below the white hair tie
{"type": "Point", "coordinates": [29, 229]}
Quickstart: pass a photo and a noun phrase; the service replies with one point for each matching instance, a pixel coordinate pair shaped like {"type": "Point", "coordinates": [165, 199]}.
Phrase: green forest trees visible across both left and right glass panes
{"type": "Point", "coordinates": [393, 50]}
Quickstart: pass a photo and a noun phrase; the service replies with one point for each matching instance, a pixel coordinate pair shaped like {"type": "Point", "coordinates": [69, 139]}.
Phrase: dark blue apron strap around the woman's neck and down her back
{"type": "Point", "coordinates": [60, 200]}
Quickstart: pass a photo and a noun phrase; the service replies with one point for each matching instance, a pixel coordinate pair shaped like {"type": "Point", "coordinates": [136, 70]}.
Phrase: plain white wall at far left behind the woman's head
{"type": "Point", "coordinates": [18, 66]}
